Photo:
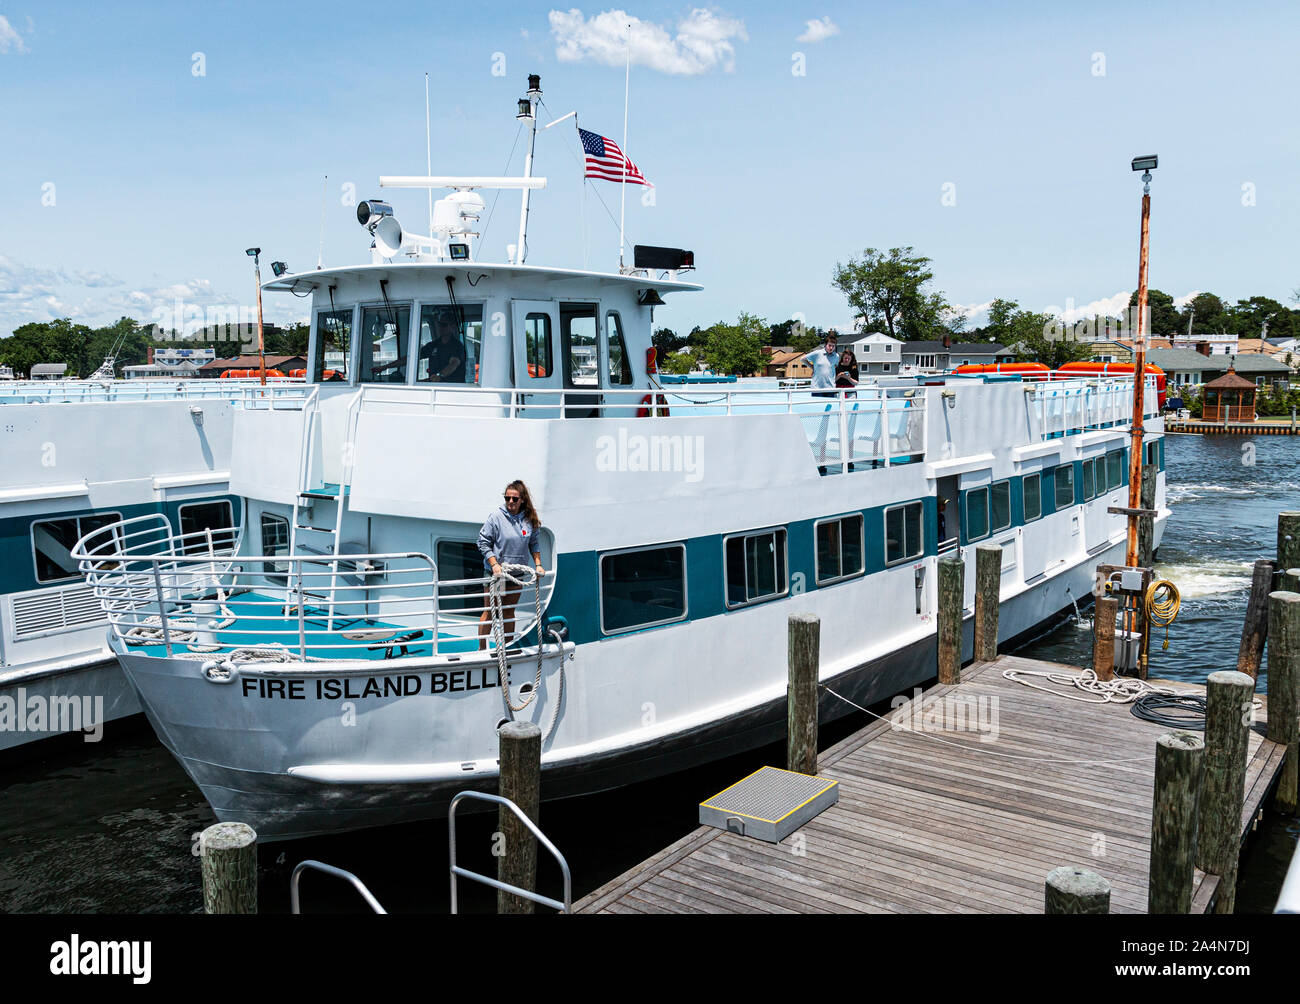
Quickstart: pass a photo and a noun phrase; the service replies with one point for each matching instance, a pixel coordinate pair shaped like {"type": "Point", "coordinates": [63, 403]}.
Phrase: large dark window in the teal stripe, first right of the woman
{"type": "Point", "coordinates": [644, 587]}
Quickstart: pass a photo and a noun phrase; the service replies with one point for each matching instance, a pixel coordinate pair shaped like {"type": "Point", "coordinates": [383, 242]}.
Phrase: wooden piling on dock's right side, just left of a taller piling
{"type": "Point", "coordinates": [1173, 823]}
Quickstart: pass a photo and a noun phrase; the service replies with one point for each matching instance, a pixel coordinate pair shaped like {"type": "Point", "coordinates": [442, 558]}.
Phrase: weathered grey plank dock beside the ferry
{"type": "Point", "coordinates": [939, 823]}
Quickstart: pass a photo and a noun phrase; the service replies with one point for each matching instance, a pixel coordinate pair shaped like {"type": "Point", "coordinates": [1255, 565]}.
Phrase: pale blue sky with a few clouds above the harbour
{"type": "Point", "coordinates": [148, 146]}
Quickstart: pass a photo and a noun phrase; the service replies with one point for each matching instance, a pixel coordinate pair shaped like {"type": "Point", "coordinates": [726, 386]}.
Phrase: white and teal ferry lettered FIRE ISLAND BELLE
{"type": "Point", "coordinates": [324, 672]}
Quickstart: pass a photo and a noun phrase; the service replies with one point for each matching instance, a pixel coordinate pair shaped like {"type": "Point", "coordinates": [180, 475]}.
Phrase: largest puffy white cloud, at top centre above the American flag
{"type": "Point", "coordinates": [703, 42]}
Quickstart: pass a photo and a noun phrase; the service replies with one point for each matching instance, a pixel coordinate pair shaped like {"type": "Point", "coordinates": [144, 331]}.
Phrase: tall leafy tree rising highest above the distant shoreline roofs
{"type": "Point", "coordinates": [887, 291]}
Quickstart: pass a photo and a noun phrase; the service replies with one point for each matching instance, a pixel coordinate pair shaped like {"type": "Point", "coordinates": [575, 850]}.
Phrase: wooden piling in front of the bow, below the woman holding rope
{"type": "Point", "coordinates": [521, 782]}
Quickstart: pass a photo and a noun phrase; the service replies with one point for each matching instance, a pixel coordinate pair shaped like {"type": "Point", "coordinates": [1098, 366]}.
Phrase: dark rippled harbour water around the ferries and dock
{"type": "Point", "coordinates": [111, 826]}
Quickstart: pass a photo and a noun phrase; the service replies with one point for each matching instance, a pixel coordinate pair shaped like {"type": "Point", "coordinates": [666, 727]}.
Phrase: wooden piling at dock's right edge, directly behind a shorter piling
{"type": "Point", "coordinates": [1228, 730]}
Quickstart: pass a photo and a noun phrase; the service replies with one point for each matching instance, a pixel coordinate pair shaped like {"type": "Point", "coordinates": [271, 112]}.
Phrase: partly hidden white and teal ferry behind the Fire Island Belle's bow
{"type": "Point", "coordinates": [81, 455]}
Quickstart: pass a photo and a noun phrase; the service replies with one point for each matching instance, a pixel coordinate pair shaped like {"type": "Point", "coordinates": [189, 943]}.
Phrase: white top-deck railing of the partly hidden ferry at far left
{"type": "Point", "coordinates": [86, 392]}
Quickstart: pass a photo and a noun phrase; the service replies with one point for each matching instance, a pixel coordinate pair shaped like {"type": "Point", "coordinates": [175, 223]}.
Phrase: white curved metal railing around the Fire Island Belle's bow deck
{"type": "Point", "coordinates": [197, 594]}
